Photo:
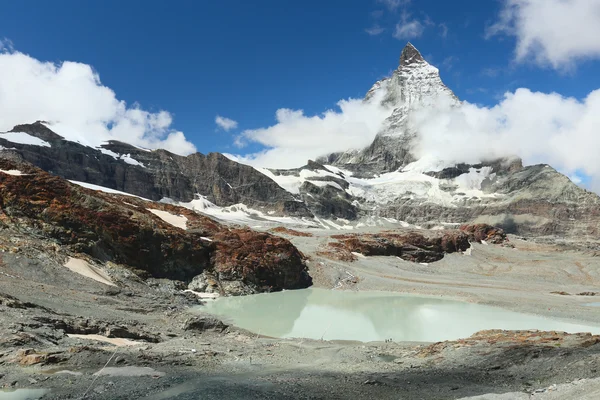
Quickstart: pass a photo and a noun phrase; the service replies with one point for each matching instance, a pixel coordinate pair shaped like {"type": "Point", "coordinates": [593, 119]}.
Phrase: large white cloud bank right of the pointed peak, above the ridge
{"type": "Point", "coordinates": [538, 127]}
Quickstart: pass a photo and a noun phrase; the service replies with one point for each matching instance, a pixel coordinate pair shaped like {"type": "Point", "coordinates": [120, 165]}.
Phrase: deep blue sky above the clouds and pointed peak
{"type": "Point", "coordinates": [245, 60]}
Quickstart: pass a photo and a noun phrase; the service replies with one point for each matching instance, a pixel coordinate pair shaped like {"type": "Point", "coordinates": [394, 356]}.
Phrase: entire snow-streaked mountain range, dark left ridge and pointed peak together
{"type": "Point", "coordinates": [384, 183]}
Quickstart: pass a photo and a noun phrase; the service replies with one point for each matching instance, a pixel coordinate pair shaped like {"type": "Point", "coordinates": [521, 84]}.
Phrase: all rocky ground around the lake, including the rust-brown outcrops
{"type": "Point", "coordinates": [95, 303]}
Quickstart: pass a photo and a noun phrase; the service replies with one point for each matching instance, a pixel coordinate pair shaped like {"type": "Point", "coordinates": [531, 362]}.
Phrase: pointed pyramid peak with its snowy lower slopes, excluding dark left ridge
{"type": "Point", "coordinates": [386, 180]}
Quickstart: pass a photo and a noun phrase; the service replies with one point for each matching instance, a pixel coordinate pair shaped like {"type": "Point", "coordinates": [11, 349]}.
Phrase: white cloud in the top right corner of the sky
{"type": "Point", "coordinates": [551, 32]}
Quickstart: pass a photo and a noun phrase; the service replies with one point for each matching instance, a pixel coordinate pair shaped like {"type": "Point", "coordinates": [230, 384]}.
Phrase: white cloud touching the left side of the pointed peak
{"type": "Point", "coordinates": [296, 137]}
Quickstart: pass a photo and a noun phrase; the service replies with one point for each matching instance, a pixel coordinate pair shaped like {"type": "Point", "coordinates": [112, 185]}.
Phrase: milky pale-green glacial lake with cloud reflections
{"type": "Point", "coordinates": [372, 316]}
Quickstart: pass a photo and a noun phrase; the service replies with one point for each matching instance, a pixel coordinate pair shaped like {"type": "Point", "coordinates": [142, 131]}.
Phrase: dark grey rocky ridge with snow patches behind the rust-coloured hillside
{"type": "Point", "coordinates": [151, 174]}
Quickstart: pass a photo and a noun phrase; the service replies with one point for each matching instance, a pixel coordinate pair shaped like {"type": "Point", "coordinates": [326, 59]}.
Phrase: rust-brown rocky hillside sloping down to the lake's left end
{"type": "Point", "coordinates": [155, 240]}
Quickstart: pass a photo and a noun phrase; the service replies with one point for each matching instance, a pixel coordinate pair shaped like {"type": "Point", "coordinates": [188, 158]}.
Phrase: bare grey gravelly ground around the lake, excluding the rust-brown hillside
{"type": "Point", "coordinates": [159, 349]}
